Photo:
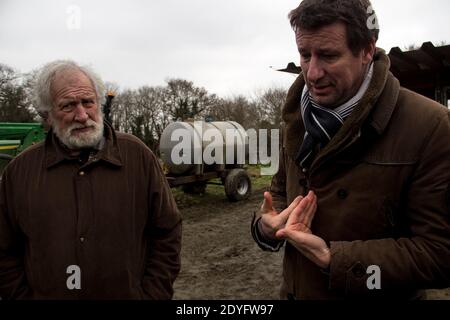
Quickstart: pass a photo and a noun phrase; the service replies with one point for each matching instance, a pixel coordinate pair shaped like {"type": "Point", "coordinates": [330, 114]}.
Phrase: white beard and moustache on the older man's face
{"type": "Point", "coordinates": [82, 140]}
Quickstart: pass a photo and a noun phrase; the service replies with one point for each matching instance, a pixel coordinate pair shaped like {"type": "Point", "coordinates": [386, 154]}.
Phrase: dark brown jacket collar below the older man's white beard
{"type": "Point", "coordinates": [55, 153]}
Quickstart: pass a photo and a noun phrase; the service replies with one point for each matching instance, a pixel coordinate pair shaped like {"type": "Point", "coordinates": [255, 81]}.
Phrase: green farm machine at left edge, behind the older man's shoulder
{"type": "Point", "coordinates": [16, 137]}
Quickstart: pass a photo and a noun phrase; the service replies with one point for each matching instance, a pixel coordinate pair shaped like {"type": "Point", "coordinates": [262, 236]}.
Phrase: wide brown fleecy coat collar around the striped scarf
{"type": "Point", "coordinates": [375, 109]}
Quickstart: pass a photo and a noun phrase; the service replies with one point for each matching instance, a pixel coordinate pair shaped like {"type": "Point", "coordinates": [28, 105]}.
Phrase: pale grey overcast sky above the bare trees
{"type": "Point", "coordinates": [226, 46]}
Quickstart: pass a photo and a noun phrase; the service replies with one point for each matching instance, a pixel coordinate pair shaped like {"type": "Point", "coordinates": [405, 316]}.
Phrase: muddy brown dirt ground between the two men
{"type": "Point", "coordinates": [220, 259]}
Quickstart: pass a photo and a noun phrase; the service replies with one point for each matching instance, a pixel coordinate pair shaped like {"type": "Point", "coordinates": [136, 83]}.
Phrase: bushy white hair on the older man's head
{"type": "Point", "coordinates": [43, 84]}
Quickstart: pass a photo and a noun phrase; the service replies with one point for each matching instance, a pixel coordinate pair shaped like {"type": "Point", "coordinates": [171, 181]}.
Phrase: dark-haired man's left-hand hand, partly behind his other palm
{"type": "Point", "coordinates": [272, 221]}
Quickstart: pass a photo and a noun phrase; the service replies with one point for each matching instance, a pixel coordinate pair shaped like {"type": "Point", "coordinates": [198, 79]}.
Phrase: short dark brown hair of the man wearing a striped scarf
{"type": "Point", "coordinates": [362, 26]}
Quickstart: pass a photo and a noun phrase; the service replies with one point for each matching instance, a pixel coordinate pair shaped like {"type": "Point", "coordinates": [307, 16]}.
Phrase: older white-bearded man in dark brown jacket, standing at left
{"type": "Point", "coordinates": [88, 213]}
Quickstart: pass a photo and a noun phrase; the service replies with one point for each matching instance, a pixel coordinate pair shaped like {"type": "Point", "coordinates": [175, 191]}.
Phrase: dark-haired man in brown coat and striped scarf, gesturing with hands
{"type": "Point", "coordinates": [361, 198]}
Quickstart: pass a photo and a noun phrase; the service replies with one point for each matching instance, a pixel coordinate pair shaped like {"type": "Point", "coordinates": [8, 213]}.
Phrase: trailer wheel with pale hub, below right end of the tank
{"type": "Point", "coordinates": [238, 185]}
